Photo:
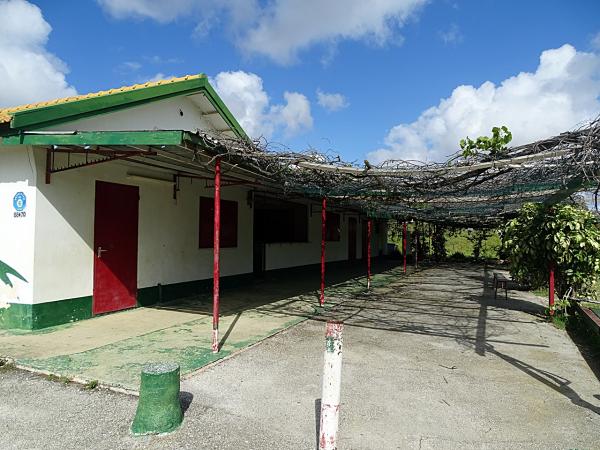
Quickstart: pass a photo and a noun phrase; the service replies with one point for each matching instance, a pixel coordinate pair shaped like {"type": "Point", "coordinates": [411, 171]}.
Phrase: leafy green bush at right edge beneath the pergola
{"type": "Point", "coordinates": [565, 237]}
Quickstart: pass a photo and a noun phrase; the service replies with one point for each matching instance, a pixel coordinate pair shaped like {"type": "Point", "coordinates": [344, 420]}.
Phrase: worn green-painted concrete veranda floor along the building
{"type": "Point", "coordinates": [113, 348]}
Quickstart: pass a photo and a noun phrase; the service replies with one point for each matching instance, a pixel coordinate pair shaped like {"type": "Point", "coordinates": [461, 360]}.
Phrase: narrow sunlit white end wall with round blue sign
{"type": "Point", "coordinates": [17, 175]}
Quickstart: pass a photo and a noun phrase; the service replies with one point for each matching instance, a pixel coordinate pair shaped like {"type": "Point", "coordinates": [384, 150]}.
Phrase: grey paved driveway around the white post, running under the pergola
{"type": "Point", "coordinates": [430, 361]}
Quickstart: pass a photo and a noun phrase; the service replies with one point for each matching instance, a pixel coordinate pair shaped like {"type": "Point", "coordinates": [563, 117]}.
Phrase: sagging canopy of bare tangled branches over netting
{"type": "Point", "coordinates": [476, 190]}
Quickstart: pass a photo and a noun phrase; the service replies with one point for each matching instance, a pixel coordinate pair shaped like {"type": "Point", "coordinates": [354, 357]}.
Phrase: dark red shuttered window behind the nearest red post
{"type": "Point", "coordinates": [228, 236]}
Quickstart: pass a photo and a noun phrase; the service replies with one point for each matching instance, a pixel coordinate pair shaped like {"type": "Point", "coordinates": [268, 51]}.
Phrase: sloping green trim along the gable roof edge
{"type": "Point", "coordinates": [54, 114]}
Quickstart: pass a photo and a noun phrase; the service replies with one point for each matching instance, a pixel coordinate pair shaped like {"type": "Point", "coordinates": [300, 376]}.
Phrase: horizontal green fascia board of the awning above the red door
{"type": "Point", "coordinates": [106, 138]}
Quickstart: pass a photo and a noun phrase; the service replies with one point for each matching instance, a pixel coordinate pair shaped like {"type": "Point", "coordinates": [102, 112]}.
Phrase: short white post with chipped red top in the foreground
{"type": "Point", "coordinates": [330, 397]}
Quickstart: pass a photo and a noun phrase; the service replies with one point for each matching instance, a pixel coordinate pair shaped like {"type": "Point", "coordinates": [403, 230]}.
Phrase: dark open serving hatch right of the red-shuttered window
{"type": "Point", "coordinates": [279, 221]}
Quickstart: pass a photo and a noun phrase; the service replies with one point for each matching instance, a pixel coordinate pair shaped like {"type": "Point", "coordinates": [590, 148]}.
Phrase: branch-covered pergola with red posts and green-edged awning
{"type": "Point", "coordinates": [481, 192]}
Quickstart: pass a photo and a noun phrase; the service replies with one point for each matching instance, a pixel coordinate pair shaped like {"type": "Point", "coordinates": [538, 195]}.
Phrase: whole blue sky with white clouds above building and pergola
{"type": "Point", "coordinates": [388, 64]}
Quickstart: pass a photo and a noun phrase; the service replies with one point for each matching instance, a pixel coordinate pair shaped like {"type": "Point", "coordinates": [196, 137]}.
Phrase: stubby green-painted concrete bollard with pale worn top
{"type": "Point", "coordinates": [159, 409]}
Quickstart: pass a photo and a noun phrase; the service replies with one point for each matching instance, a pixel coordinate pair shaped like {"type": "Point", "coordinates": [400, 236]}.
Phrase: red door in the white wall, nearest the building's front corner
{"type": "Point", "coordinates": [115, 247]}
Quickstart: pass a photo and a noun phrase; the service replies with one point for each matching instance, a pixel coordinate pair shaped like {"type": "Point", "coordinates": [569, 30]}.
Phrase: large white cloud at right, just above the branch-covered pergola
{"type": "Point", "coordinates": [562, 93]}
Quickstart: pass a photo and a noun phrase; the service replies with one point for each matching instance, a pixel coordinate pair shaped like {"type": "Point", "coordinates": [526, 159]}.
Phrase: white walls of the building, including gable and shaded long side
{"type": "Point", "coordinates": [52, 245]}
